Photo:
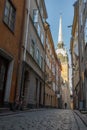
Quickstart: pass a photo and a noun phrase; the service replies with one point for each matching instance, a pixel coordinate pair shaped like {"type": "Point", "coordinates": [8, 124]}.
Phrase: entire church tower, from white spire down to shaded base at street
{"type": "Point", "coordinates": [63, 56]}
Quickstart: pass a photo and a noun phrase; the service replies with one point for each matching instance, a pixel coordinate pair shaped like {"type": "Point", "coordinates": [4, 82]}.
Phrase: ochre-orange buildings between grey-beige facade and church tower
{"type": "Point", "coordinates": [52, 71]}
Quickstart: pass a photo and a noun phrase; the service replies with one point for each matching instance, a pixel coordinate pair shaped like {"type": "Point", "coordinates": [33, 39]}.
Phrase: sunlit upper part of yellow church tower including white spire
{"type": "Point", "coordinates": [62, 54]}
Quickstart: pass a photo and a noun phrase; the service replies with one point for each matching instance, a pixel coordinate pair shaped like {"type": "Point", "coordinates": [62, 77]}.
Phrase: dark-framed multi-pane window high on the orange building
{"type": "Point", "coordinates": [9, 15]}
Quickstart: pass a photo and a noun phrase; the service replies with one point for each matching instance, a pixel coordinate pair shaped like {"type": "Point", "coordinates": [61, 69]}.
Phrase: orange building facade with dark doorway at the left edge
{"type": "Point", "coordinates": [11, 22]}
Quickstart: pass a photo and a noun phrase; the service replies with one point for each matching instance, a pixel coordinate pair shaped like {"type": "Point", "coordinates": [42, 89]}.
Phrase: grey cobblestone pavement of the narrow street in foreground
{"type": "Point", "coordinates": [50, 119]}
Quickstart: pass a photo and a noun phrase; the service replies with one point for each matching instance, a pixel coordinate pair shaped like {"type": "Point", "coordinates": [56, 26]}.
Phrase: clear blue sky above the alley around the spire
{"type": "Point", "coordinates": [54, 9]}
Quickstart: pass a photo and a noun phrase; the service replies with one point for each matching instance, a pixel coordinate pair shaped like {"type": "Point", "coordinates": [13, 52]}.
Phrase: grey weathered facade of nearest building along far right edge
{"type": "Point", "coordinates": [83, 51]}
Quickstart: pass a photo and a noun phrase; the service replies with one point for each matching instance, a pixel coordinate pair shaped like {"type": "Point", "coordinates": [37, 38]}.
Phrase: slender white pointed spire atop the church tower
{"type": "Point", "coordinates": [60, 35]}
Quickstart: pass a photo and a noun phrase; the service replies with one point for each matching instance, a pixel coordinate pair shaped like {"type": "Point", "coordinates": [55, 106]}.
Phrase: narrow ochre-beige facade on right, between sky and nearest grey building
{"type": "Point", "coordinates": [75, 58]}
